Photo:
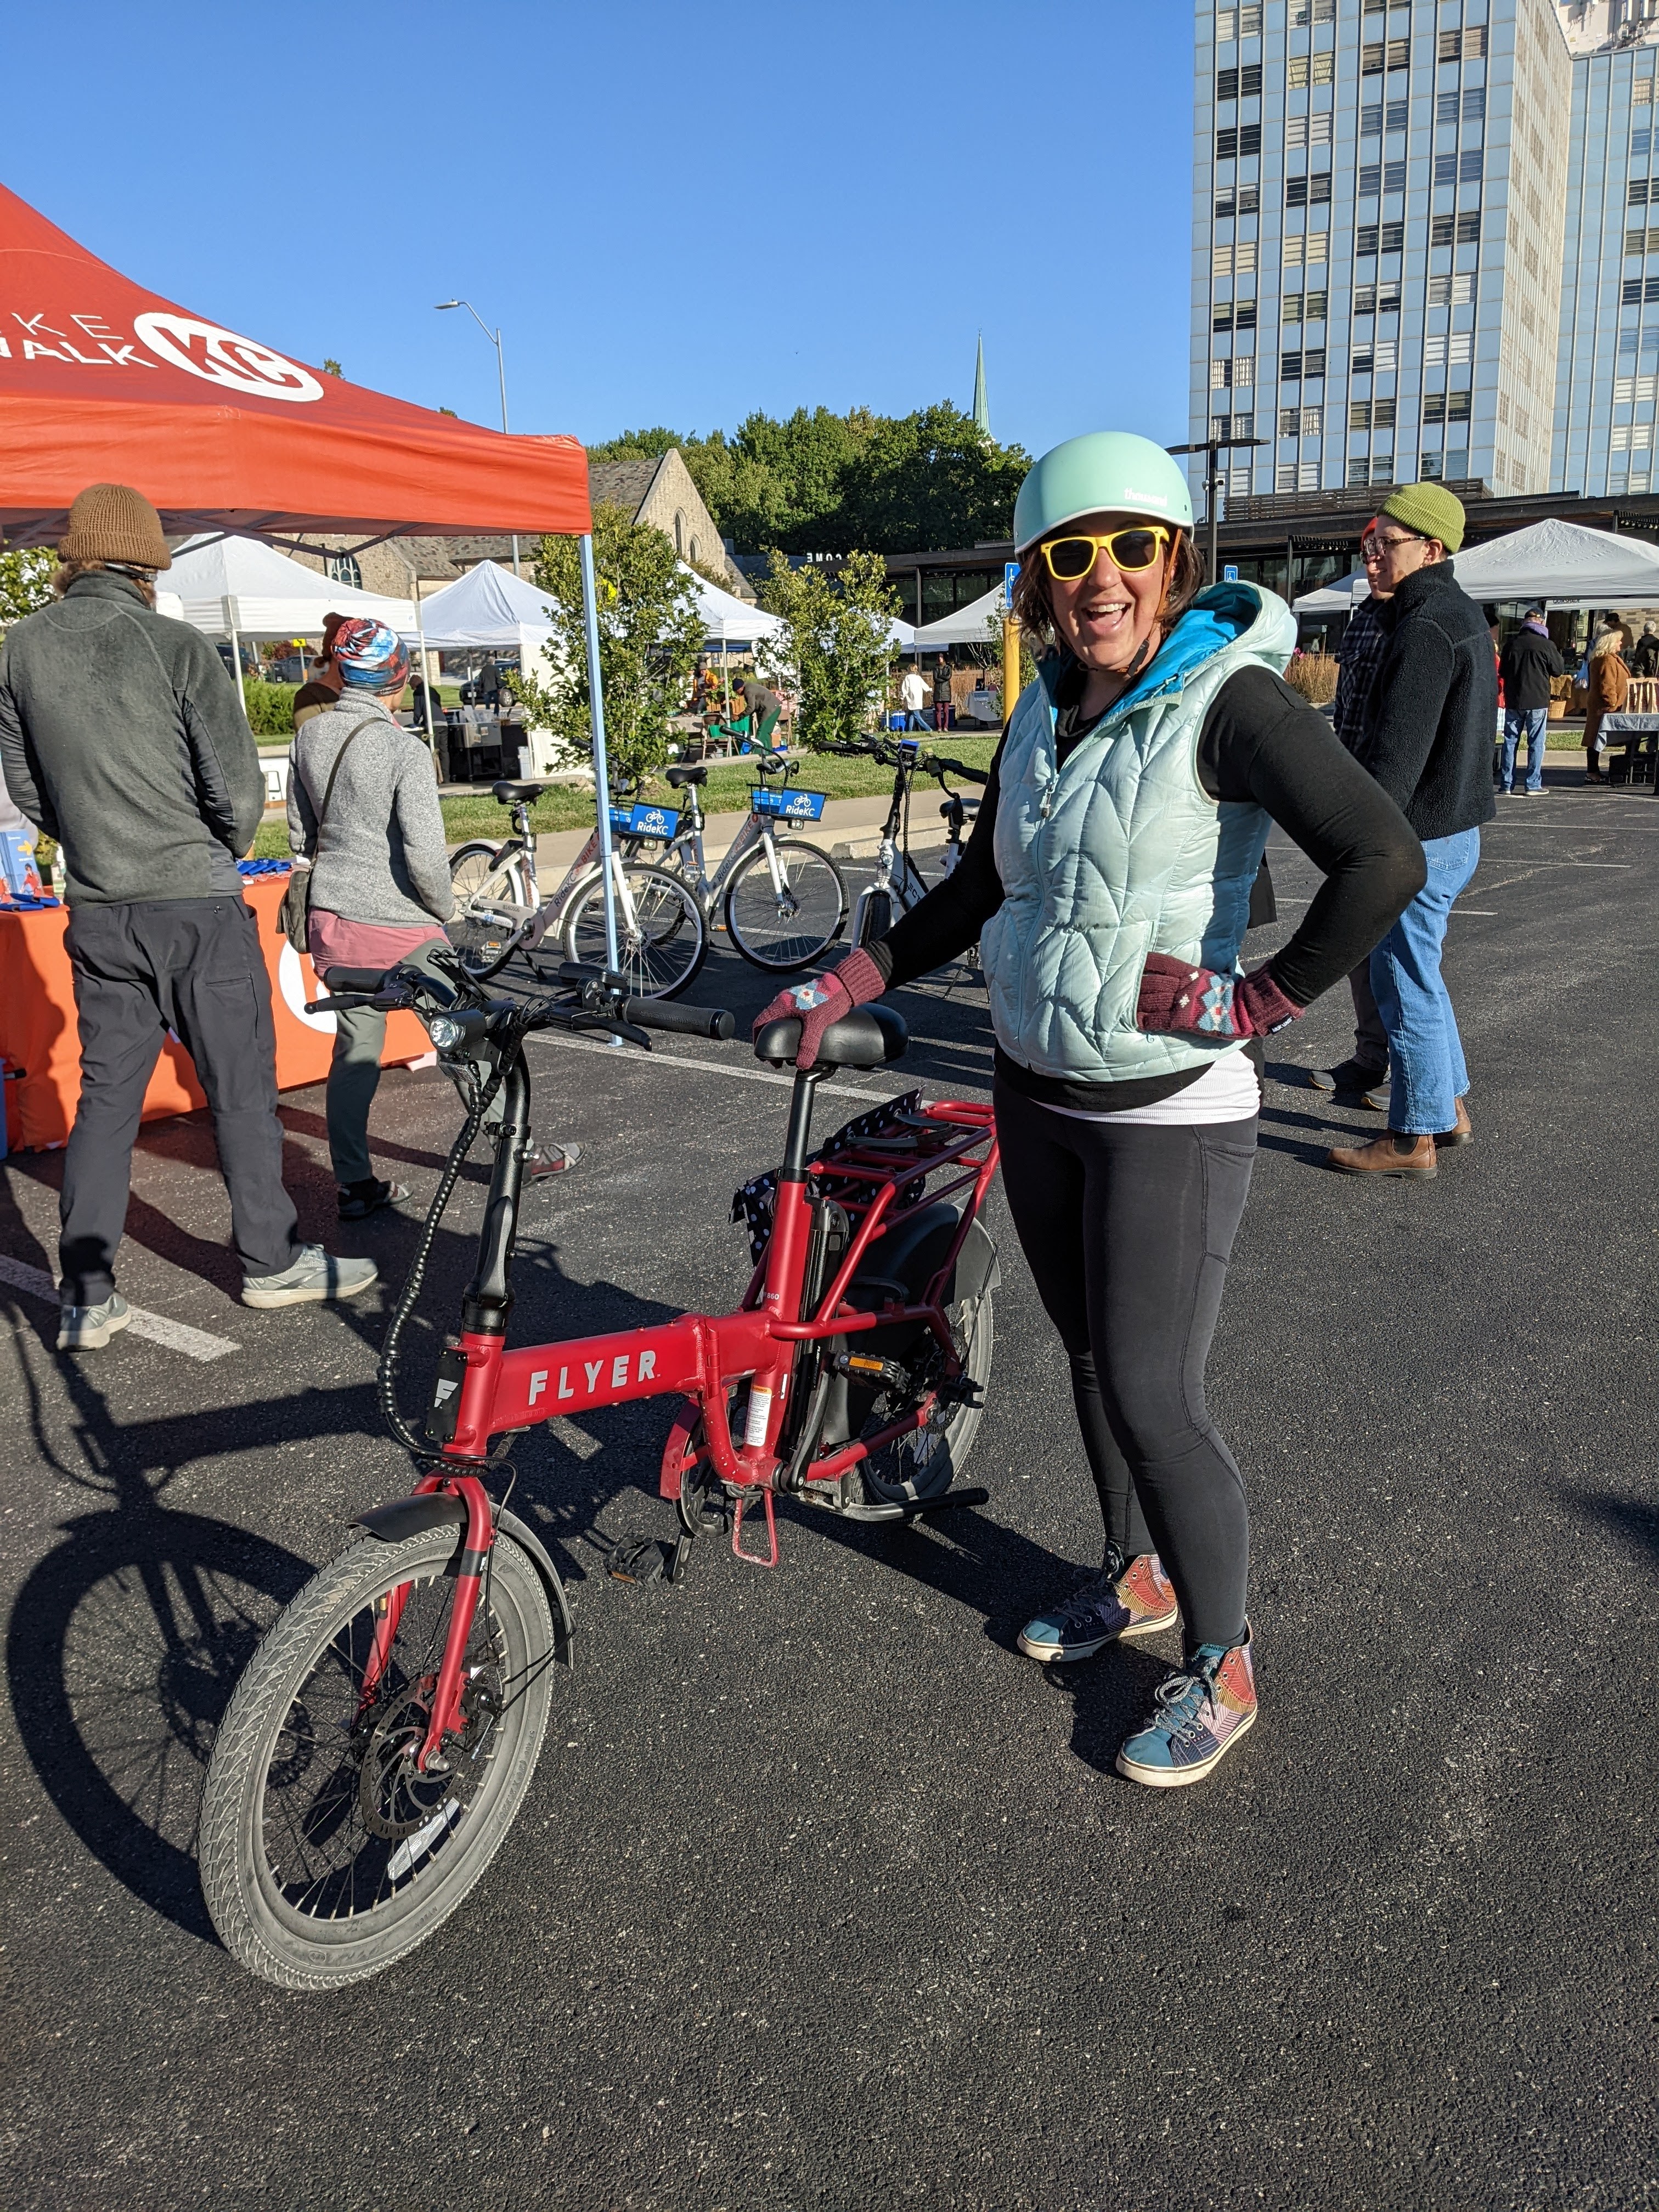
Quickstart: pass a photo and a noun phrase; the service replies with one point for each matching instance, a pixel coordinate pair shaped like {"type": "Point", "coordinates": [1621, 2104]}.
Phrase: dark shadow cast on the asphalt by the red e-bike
{"type": "Point", "coordinates": [129, 1636]}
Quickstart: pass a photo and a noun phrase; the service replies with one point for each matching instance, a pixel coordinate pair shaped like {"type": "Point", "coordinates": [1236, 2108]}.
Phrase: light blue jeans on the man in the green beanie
{"type": "Point", "coordinates": [1426, 1052]}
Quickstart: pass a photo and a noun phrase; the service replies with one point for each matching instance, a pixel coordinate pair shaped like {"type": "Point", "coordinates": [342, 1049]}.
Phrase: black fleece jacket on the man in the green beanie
{"type": "Point", "coordinates": [1432, 718]}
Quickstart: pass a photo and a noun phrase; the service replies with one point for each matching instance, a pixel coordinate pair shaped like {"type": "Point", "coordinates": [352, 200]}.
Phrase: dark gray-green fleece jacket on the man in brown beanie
{"type": "Point", "coordinates": [125, 740]}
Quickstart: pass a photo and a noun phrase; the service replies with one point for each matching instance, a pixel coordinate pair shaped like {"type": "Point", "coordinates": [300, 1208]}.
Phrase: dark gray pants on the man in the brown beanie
{"type": "Point", "coordinates": [189, 966]}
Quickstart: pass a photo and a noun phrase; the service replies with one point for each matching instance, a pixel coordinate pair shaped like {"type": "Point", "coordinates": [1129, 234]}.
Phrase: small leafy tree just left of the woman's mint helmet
{"type": "Point", "coordinates": [835, 643]}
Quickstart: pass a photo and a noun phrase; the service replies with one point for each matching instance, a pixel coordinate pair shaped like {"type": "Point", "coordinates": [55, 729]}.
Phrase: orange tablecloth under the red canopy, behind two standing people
{"type": "Point", "coordinates": [39, 1025]}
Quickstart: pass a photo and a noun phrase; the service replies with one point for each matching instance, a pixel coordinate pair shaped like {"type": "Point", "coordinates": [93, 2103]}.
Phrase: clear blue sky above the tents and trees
{"type": "Point", "coordinates": [678, 213]}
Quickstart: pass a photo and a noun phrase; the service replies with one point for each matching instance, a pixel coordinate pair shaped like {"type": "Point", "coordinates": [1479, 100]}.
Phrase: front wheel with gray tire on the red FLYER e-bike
{"type": "Point", "coordinates": [366, 1908]}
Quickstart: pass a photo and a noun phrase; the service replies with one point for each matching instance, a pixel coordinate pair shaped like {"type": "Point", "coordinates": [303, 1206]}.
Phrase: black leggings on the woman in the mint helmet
{"type": "Point", "coordinates": [1129, 1233]}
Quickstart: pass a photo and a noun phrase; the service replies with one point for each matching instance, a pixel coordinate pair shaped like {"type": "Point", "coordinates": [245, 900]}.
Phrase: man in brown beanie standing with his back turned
{"type": "Point", "coordinates": [123, 738]}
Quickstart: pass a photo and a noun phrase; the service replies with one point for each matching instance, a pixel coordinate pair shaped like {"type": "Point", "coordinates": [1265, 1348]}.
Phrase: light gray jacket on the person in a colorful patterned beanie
{"type": "Point", "coordinates": [384, 855]}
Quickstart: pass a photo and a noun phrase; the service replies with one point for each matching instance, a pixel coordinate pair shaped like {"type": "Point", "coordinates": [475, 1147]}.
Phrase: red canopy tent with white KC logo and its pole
{"type": "Point", "coordinates": [103, 382]}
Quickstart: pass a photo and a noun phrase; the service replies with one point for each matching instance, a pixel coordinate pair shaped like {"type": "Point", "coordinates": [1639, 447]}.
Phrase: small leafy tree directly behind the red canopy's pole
{"type": "Point", "coordinates": [649, 643]}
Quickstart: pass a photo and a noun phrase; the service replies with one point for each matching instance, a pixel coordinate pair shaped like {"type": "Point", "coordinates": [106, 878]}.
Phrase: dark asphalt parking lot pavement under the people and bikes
{"type": "Point", "coordinates": [824, 1897]}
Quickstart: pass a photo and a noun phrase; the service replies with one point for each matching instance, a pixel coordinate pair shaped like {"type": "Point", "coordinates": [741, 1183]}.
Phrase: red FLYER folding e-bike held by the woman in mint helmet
{"type": "Point", "coordinates": [384, 1735]}
